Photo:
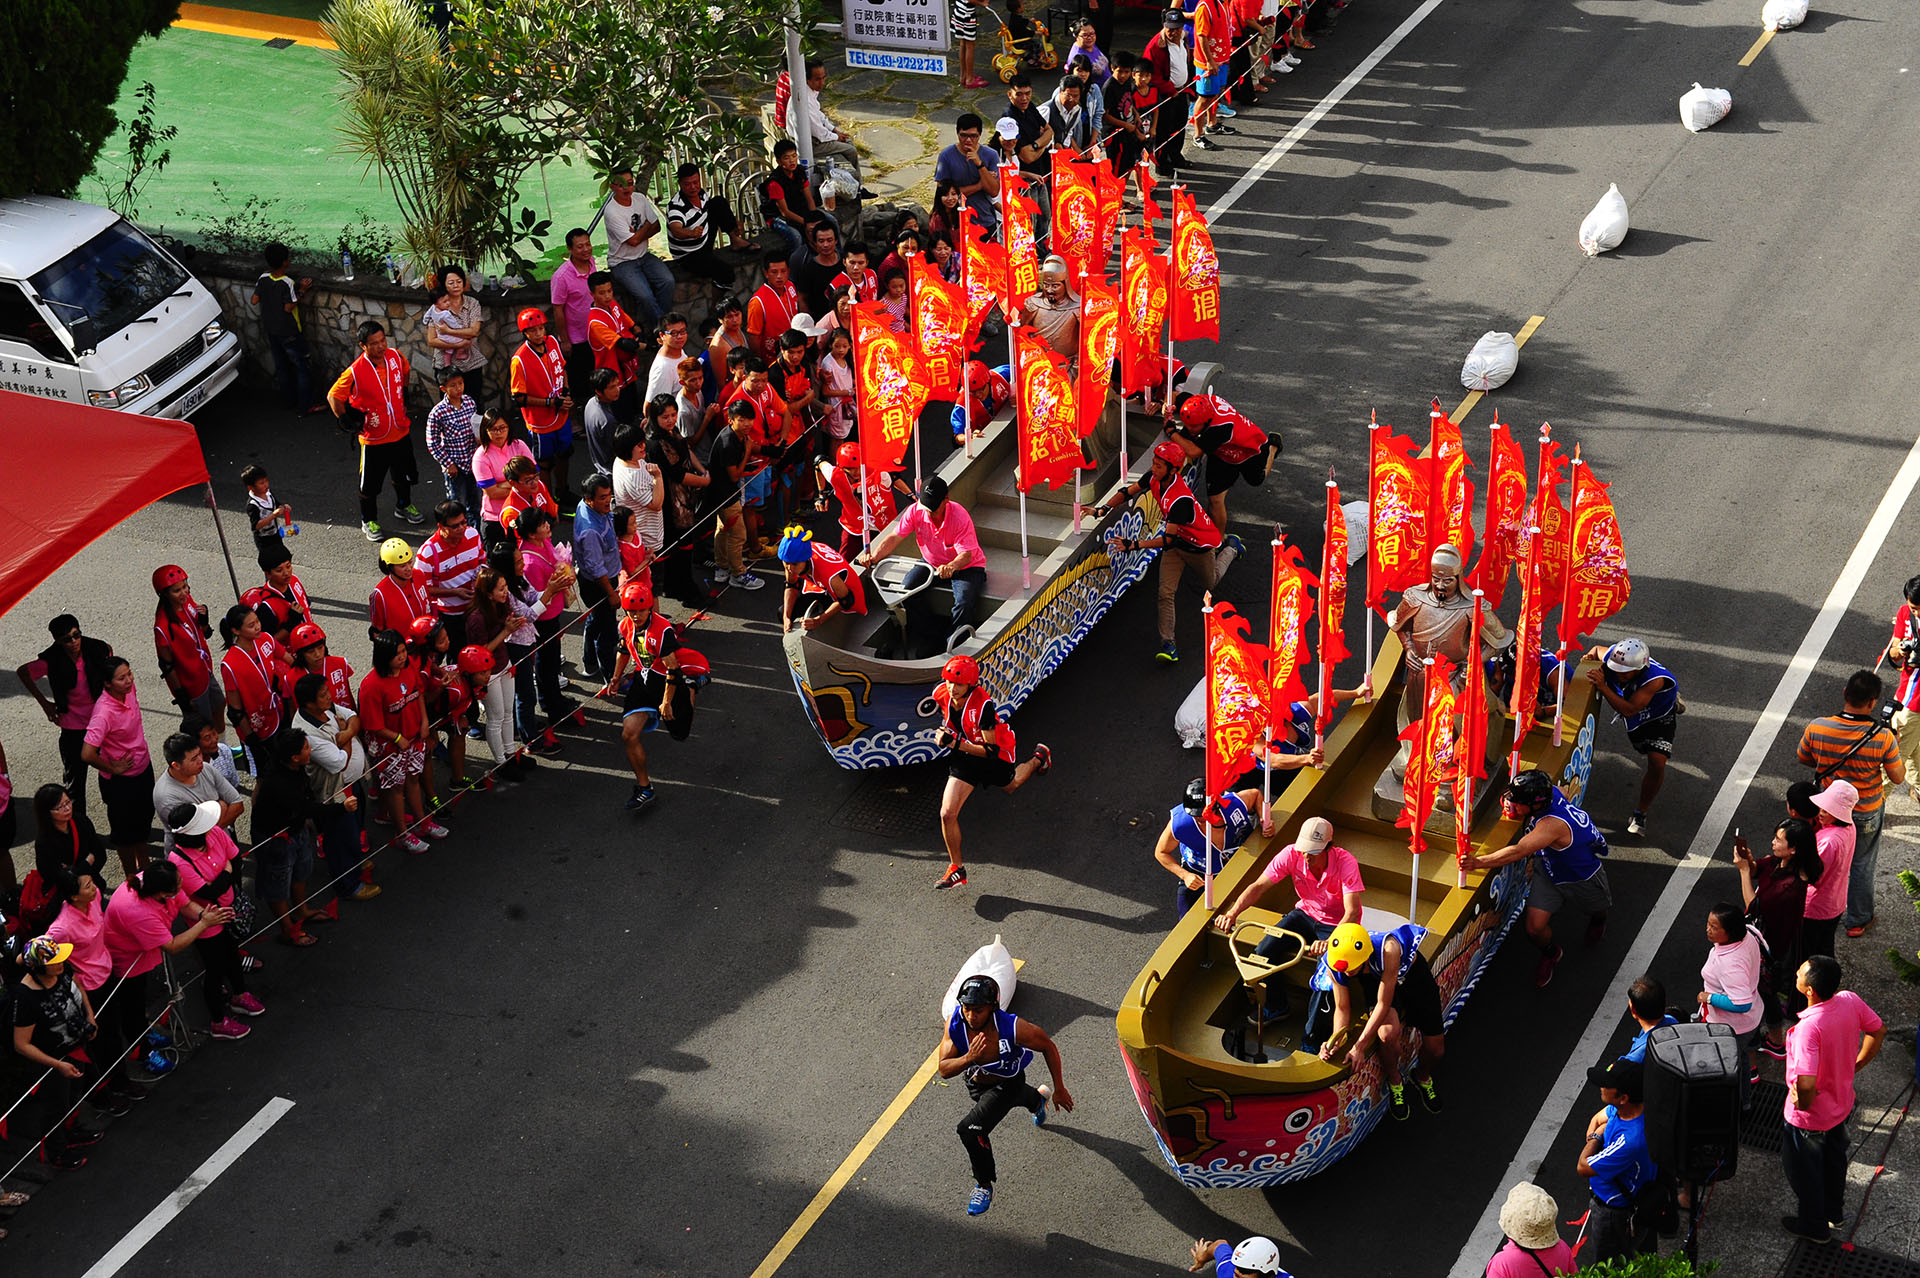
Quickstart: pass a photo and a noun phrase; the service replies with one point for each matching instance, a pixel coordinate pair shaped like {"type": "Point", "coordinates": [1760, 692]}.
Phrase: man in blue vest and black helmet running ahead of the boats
{"type": "Point", "coordinates": [992, 1051]}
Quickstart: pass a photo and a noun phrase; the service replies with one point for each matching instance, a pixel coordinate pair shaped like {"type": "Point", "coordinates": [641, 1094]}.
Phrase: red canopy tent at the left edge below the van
{"type": "Point", "coordinates": [126, 463]}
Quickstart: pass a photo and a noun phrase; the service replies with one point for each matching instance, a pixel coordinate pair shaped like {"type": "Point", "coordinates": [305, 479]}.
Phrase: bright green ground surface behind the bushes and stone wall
{"type": "Point", "coordinates": [260, 122]}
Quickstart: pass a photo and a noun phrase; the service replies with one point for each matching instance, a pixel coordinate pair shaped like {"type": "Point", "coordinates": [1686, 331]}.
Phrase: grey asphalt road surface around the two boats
{"type": "Point", "coordinates": [573, 1043]}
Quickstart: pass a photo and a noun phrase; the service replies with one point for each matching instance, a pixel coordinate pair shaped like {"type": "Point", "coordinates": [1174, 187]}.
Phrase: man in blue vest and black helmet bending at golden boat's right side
{"type": "Point", "coordinates": [1570, 849]}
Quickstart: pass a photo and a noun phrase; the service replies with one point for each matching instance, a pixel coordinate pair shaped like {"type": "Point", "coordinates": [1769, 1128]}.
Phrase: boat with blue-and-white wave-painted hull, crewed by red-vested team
{"type": "Point", "coordinates": [878, 711]}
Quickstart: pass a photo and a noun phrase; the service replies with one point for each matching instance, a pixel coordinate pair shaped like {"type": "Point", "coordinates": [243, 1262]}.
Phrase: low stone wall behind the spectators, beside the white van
{"type": "Point", "coordinates": [333, 310]}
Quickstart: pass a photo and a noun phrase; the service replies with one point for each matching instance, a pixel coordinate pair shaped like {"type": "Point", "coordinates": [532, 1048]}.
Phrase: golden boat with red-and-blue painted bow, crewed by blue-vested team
{"type": "Point", "coordinates": [1234, 1104]}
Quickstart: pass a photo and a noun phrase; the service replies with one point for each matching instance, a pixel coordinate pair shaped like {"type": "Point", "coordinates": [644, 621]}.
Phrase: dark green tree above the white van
{"type": "Point", "coordinates": [62, 64]}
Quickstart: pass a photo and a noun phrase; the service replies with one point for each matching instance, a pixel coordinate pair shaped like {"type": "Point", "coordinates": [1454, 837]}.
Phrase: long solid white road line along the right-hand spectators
{"type": "Point", "coordinates": [1673, 897]}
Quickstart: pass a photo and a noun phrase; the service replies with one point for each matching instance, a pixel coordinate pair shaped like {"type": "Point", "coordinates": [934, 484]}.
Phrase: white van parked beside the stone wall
{"type": "Point", "coordinates": [93, 312]}
